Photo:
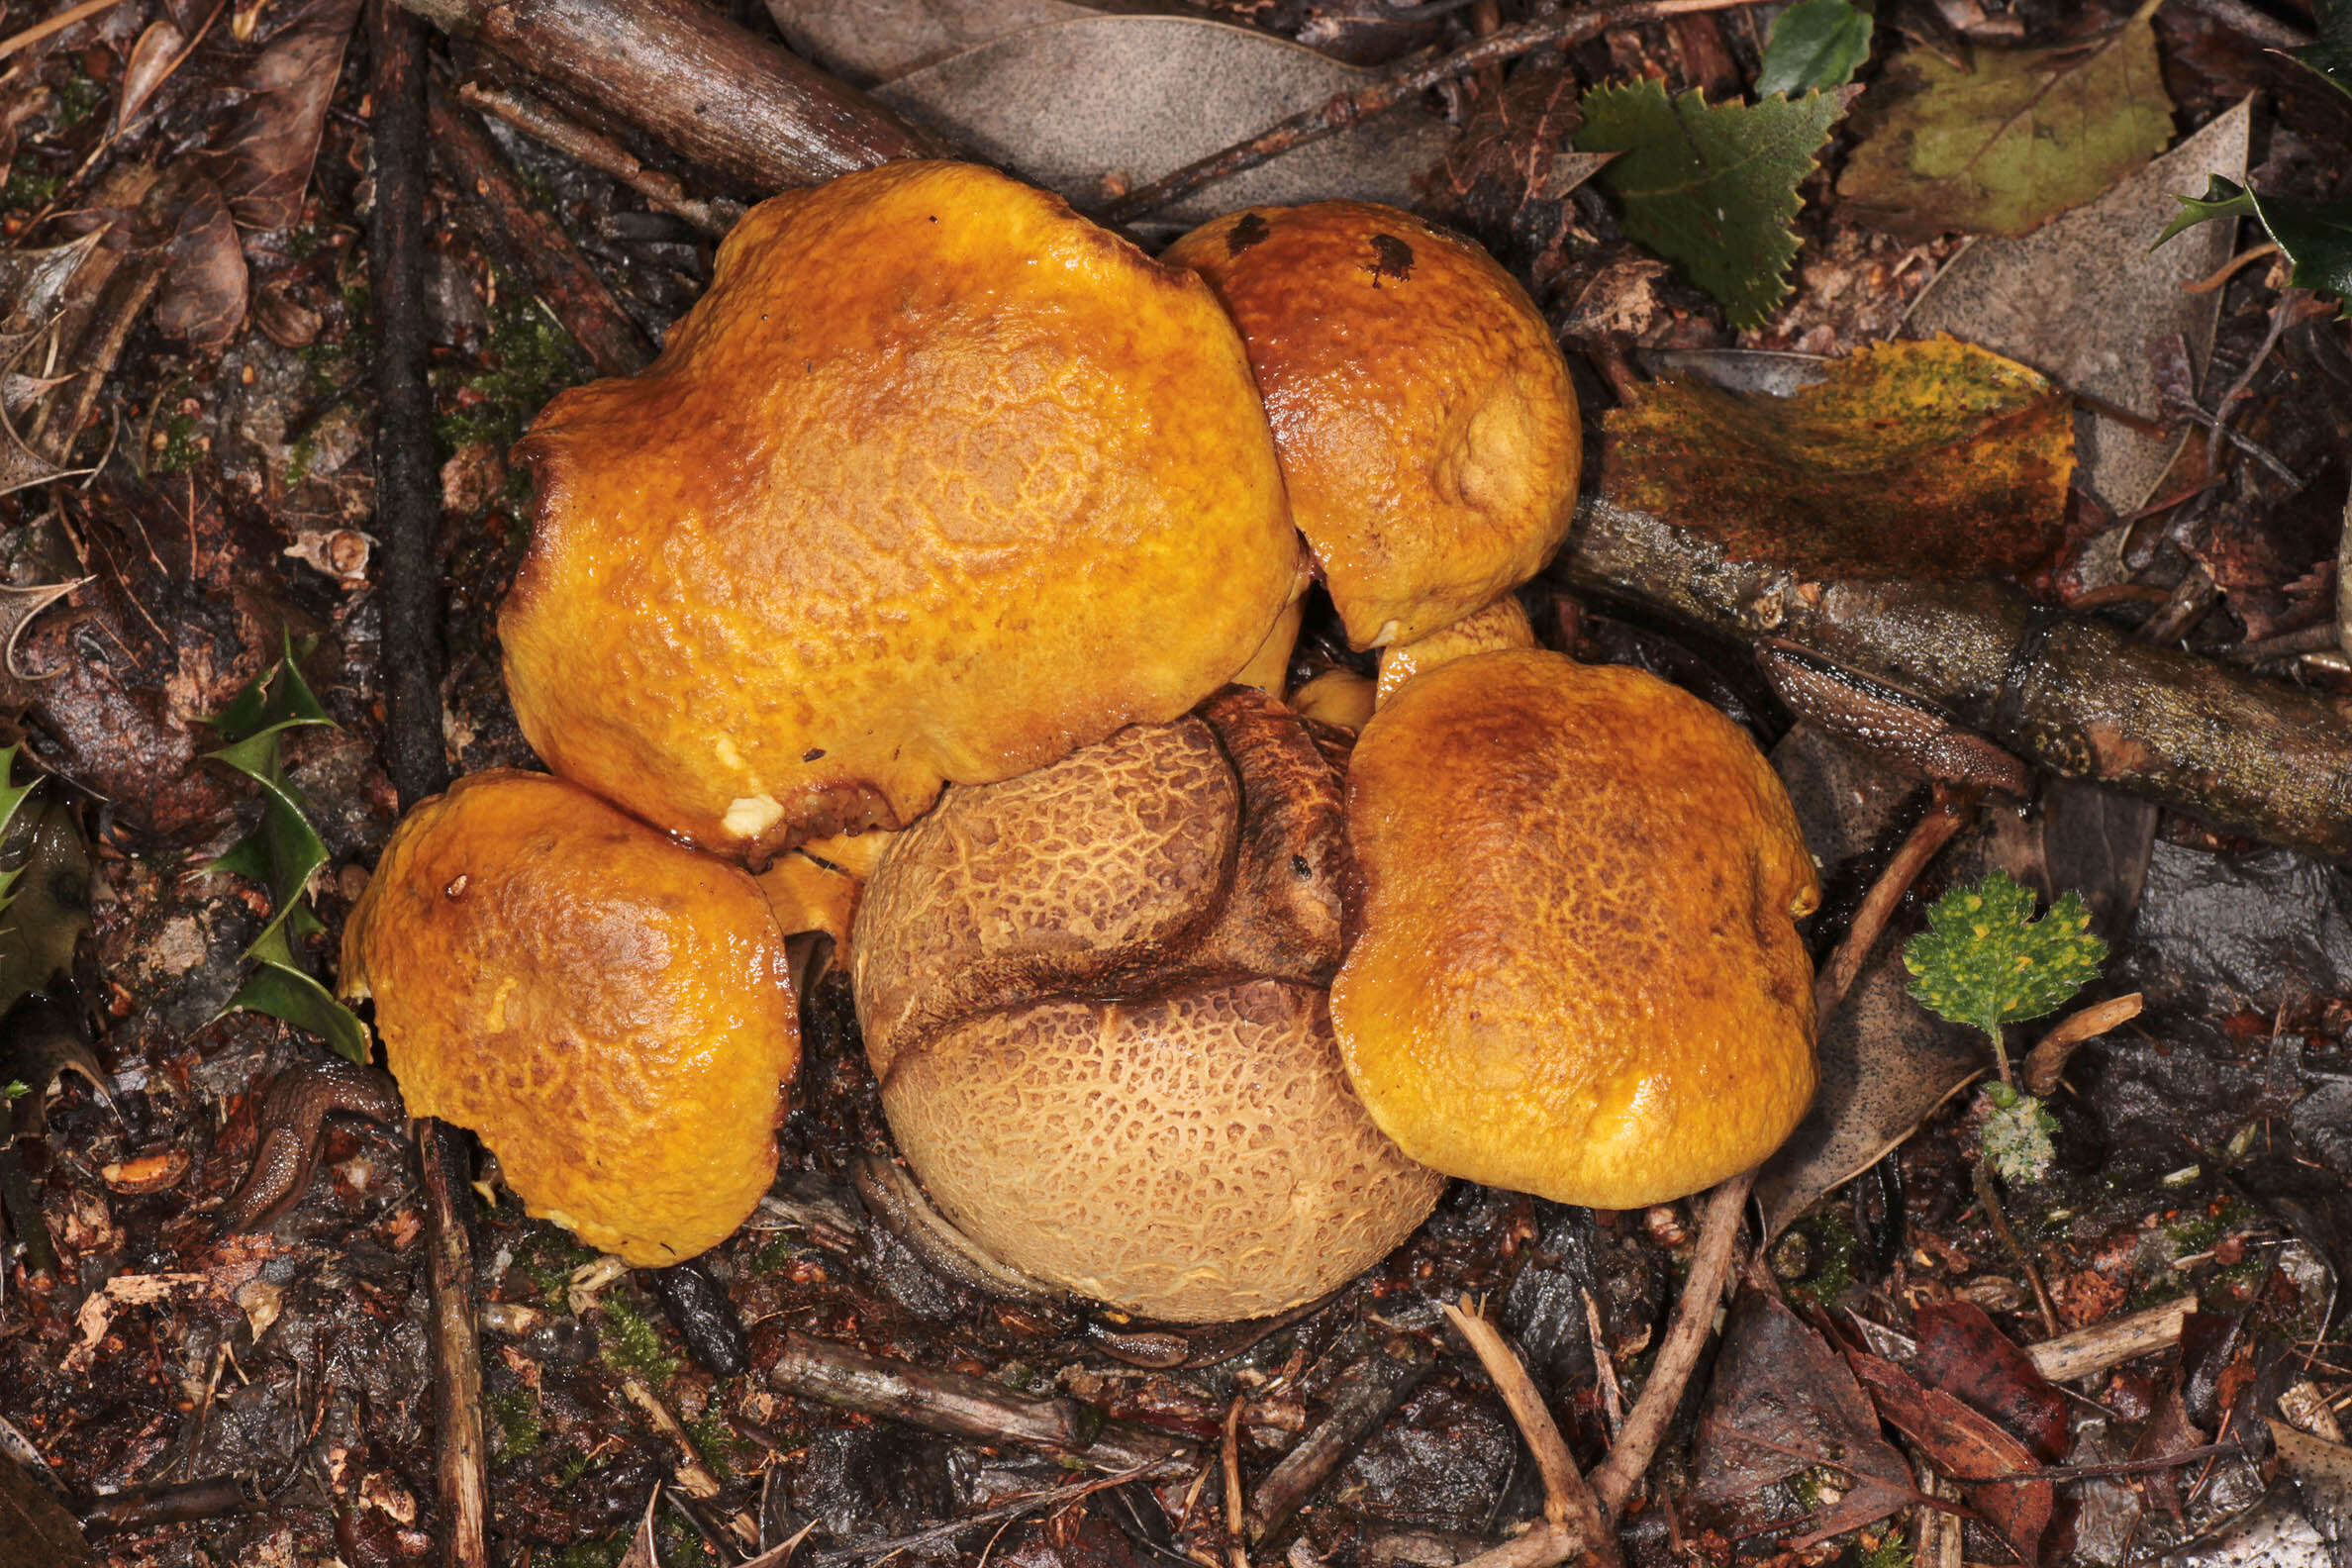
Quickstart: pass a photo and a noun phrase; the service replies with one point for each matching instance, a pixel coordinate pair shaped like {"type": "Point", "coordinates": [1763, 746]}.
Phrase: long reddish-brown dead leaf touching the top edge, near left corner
{"type": "Point", "coordinates": [272, 140]}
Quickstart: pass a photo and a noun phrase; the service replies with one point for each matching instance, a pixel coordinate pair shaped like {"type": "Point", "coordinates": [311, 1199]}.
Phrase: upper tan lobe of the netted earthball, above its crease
{"type": "Point", "coordinates": [1055, 883]}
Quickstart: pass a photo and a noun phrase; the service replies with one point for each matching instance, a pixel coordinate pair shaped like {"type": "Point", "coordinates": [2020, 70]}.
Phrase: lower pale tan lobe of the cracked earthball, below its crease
{"type": "Point", "coordinates": [1196, 1158]}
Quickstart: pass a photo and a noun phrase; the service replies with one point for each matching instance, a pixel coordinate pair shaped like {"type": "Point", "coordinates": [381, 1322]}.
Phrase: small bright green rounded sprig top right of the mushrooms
{"type": "Point", "coordinates": [1986, 960]}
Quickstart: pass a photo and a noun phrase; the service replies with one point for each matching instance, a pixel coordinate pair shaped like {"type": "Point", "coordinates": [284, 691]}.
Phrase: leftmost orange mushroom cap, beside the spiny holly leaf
{"type": "Point", "coordinates": [608, 1010]}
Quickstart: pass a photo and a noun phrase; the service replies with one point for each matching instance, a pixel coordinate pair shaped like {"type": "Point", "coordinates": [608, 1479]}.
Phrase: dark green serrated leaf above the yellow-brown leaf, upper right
{"type": "Point", "coordinates": [1713, 185]}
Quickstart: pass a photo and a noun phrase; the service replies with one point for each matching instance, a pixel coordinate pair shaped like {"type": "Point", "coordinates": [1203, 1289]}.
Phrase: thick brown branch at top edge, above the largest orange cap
{"type": "Point", "coordinates": [719, 95]}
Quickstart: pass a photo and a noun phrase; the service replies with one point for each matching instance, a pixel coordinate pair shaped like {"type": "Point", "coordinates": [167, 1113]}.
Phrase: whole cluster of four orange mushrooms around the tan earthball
{"type": "Point", "coordinates": [947, 570]}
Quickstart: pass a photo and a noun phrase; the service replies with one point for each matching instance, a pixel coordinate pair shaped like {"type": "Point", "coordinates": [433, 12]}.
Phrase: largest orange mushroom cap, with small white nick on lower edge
{"type": "Point", "coordinates": [937, 483]}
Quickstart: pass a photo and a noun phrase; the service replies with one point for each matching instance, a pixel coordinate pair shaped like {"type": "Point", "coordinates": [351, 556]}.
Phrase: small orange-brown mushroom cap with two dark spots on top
{"type": "Point", "coordinates": [1422, 408]}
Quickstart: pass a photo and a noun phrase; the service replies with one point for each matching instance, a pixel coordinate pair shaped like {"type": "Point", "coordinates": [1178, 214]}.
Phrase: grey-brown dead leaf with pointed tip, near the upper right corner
{"type": "Point", "coordinates": [2085, 300]}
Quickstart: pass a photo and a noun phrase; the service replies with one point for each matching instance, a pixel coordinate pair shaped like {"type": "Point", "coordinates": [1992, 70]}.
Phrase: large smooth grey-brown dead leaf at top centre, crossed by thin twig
{"type": "Point", "coordinates": [1100, 105]}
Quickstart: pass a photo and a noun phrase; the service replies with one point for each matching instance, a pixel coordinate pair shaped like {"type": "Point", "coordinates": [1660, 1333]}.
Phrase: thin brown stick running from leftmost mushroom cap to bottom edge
{"type": "Point", "coordinates": [457, 1353]}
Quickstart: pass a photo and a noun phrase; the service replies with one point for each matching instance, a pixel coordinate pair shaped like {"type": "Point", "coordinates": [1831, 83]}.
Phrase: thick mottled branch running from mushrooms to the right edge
{"type": "Point", "coordinates": [2076, 695]}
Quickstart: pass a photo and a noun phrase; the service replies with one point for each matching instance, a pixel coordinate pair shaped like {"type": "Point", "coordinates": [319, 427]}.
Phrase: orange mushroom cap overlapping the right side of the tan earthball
{"type": "Point", "coordinates": [1577, 970]}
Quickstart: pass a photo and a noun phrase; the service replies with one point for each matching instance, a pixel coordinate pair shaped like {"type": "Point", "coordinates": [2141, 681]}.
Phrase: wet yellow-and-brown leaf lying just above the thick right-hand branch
{"type": "Point", "coordinates": [1909, 460]}
